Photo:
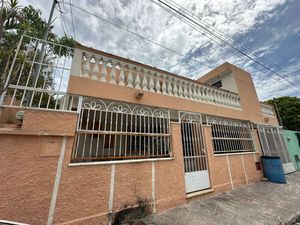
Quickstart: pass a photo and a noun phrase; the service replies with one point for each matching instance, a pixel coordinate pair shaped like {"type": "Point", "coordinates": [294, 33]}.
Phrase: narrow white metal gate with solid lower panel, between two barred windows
{"type": "Point", "coordinates": [194, 152]}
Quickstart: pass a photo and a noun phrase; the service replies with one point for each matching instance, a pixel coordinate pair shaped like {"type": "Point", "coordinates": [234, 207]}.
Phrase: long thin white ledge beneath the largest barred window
{"type": "Point", "coordinates": [119, 162]}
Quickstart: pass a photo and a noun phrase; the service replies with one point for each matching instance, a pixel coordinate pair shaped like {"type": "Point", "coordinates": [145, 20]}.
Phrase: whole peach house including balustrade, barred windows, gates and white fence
{"type": "Point", "coordinates": [101, 132]}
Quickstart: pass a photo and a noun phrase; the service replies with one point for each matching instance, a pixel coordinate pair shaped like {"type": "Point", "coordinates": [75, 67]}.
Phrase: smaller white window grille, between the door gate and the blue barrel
{"type": "Point", "coordinates": [230, 136]}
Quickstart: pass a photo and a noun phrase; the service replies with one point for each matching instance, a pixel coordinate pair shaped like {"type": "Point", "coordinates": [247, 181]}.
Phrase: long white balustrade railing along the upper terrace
{"type": "Point", "coordinates": [119, 72]}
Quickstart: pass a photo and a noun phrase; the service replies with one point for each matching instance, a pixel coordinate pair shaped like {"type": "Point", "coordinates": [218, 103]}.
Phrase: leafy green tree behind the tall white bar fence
{"type": "Point", "coordinates": [14, 22]}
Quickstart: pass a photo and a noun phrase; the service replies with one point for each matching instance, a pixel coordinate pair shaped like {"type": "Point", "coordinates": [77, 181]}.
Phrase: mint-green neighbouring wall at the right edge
{"type": "Point", "coordinates": [293, 146]}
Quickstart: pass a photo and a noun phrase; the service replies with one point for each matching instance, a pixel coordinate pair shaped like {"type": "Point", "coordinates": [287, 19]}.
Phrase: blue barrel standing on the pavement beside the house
{"type": "Point", "coordinates": [273, 169]}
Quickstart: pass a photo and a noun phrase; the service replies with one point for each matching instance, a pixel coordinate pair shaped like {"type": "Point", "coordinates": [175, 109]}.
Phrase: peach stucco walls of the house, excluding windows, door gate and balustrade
{"type": "Point", "coordinates": [39, 185]}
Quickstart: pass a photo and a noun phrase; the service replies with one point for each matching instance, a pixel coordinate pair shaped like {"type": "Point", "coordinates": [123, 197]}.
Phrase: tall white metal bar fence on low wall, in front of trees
{"type": "Point", "coordinates": [39, 75]}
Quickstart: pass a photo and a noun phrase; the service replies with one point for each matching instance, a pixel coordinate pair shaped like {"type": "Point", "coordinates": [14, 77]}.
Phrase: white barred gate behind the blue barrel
{"type": "Point", "coordinates": [273, 143]}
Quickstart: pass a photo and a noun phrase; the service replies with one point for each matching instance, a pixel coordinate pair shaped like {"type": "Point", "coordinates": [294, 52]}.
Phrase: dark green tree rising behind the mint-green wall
{"type": "Point", "coordinates": [289, 111]}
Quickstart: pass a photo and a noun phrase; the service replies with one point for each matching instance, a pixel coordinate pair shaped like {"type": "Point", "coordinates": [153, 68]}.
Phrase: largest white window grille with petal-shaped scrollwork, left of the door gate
{"type": "Point", "coordinates": [118, 131]}
